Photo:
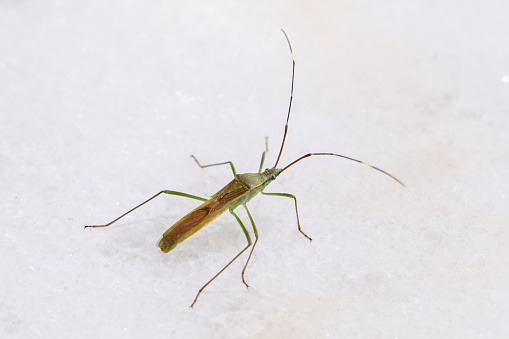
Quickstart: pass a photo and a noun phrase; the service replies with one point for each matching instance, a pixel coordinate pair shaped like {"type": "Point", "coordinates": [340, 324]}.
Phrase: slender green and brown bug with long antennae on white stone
{"type": "Point", "coordinates": [237, 192]}
